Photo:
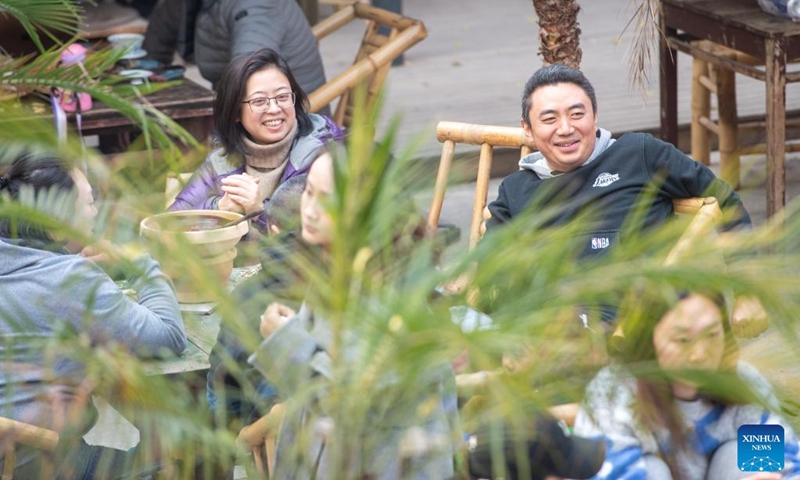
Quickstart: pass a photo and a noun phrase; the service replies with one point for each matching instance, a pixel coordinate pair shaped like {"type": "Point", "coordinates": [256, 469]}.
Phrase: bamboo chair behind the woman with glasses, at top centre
{"type": "Point", "coordinates": [373, 59]}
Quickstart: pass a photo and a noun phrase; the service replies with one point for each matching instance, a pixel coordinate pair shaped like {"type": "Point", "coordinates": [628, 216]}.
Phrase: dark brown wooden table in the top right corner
{"type": "Point", "coordinates": [743, 26]}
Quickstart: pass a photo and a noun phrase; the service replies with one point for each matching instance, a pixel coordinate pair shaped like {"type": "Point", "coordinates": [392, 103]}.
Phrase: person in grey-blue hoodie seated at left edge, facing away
{"type": "Point", "coordinates": [54, 298]}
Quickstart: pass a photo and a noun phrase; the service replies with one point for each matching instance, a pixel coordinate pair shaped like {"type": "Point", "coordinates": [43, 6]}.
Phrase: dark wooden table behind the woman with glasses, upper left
{"type": "Point", "coordinates": [190, 104]}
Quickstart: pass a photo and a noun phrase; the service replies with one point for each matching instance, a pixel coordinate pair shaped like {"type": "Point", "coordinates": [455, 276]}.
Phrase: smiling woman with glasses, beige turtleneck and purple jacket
{"type": "Point", "coordinates": [266, 133]}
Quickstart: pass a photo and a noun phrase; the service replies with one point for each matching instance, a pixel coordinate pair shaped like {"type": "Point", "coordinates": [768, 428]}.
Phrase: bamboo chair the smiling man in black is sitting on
{"type": "Point", "coordinates": [706, 212]}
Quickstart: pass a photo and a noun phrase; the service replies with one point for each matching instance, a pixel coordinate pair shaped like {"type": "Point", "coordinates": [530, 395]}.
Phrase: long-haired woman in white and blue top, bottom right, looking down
{"type": "Point", "coordinates": [674, 406]}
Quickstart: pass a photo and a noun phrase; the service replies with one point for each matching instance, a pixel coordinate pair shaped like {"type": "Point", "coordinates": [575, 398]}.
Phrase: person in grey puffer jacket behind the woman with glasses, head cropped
{"type": "Point", "coordinates": [211, 32]}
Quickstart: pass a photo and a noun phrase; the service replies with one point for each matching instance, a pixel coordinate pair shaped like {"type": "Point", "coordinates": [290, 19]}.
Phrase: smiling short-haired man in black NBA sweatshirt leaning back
{"type": "Point", "coordinates": [581, 170]}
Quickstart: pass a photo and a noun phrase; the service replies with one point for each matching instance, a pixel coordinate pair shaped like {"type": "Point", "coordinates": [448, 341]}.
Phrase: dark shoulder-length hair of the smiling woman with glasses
{"type": "Point", "coordinates": [231, 91]}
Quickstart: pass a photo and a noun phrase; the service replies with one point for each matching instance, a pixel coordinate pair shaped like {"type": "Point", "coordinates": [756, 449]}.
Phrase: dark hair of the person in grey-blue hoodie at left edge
{"type": "Point", "coordinates": [40, 173]}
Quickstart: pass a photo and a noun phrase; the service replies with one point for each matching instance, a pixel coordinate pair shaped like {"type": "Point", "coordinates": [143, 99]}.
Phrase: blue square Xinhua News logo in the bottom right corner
{"type": "Point", "coordinates": [760, 448]}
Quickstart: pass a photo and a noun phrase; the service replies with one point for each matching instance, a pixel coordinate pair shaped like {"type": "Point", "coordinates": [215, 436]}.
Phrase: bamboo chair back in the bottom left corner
{"type": "Point", "coordinates": [14, 433]}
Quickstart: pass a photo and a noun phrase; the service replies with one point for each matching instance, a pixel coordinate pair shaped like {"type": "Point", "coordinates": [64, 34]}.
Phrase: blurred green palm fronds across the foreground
{"type": "Point", "coordinates": [380, 283]}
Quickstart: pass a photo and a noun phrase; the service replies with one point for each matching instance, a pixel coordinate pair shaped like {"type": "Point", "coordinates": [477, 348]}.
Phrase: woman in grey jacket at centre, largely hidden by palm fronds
{"type": "Point", "coordinates": [297, 351]}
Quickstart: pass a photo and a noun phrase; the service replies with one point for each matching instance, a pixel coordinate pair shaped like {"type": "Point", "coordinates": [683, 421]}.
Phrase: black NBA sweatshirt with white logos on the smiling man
{"type": "Point", "coordinates": [609, 187]}
